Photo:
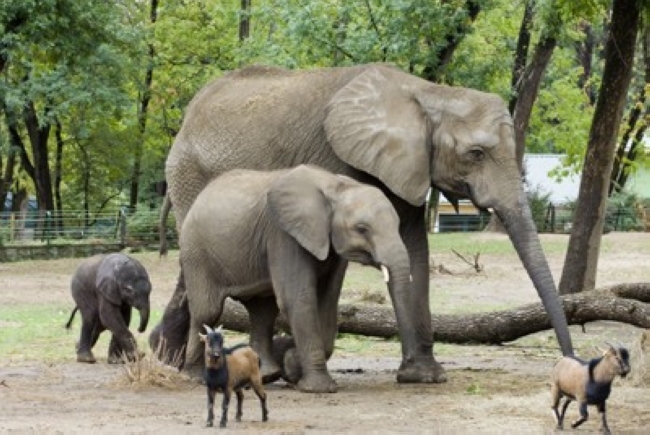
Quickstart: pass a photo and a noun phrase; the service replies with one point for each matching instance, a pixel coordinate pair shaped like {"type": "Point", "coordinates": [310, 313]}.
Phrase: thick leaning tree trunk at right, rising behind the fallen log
{"type": "Point", "coordinates": [581, 261]}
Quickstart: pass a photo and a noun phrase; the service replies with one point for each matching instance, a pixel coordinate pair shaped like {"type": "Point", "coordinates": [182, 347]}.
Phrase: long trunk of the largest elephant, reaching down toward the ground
{"type": "Point", "coordinates": [521, 228]}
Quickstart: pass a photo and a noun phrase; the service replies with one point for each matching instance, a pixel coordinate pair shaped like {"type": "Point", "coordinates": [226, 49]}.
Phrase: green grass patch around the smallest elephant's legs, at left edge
{"type": "Point", "coordinates": [37, 333]}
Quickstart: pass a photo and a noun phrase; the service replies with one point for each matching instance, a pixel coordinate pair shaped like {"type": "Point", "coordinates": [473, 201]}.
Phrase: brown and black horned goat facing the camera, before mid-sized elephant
{"type": "Point", "coordinates": [228, 370]}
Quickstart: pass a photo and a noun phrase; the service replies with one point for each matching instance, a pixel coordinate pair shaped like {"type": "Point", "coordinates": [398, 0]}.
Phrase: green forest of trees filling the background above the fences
{"type": "Point", "coordinates": [93, 93]}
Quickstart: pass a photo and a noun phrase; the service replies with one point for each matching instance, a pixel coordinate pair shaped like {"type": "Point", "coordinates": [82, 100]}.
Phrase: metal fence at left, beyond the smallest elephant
{"type": "Point", "coordinates": [119, 226]}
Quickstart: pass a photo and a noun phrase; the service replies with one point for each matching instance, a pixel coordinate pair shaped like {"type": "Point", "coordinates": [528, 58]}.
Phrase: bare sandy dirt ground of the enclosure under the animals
{"type": "Point", "coordinates": [491, 389]}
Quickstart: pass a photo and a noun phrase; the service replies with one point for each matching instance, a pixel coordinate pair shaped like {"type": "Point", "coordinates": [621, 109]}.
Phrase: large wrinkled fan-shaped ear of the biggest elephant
{"type": "Point", "coordinates": [376, 125]}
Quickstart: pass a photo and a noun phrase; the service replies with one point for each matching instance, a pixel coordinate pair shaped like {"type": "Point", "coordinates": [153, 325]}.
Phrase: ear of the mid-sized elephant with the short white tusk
{"type": "Point", "coordinates": [298, 204]}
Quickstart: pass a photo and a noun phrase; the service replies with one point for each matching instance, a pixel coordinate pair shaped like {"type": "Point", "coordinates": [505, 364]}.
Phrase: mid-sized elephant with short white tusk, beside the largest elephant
{"type": "Point", "coordinates": [283, 236]}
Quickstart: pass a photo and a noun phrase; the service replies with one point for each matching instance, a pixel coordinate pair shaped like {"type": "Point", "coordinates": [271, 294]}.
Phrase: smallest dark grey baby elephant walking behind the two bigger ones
{"type": "Point", "coordinates": [104, 288]}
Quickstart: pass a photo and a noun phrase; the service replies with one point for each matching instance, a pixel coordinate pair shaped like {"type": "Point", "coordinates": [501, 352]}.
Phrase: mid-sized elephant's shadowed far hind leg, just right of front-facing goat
{"type": "Point", "coordinates": [262, 312]}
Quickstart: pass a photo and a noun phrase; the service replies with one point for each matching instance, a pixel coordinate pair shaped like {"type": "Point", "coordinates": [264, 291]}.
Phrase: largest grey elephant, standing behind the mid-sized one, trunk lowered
{"type": "Point", "coordinates": [378, 125]}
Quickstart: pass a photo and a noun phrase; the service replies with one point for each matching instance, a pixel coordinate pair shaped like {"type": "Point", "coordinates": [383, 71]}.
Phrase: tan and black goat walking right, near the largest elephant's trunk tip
{"type": "Point", "coordinates": [588, 383]}
